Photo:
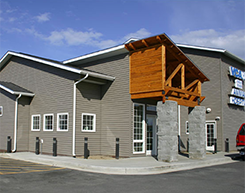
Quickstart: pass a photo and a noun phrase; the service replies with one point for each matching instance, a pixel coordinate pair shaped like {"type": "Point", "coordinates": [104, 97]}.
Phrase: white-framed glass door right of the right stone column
{"type": "Point", "coordinates": [211, 135]}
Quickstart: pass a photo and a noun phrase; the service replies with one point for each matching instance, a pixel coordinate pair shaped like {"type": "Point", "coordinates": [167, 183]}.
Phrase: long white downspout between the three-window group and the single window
{"type": "Point", "coordinates": [74, 115]}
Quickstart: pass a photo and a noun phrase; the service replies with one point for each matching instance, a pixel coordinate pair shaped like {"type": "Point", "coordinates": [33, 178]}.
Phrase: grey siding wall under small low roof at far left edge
{"type": "Point", "coordinates": [7, 119]}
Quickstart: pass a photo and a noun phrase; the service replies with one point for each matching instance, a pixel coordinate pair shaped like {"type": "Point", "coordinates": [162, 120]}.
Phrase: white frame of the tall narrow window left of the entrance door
{"type": "Point", "coordinates": [143, 131]}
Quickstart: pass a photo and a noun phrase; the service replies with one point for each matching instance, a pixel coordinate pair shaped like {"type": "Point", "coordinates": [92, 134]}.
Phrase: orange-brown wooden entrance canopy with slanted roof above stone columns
{"type": "Point", "coordinates": [161, 71]}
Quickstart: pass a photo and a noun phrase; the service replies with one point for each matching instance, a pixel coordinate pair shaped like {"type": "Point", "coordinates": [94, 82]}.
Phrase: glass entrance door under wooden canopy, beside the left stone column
{"type": "Point", "coordinates": [151, 135]}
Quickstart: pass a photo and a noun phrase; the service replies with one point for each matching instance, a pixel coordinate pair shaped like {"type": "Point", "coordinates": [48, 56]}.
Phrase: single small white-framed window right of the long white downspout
{"type": "Point", "coordinates": [88, 122]}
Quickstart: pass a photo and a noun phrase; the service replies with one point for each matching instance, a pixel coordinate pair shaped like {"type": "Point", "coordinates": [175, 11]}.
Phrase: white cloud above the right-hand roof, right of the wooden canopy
{"type": "Point", "coordinates": [233, 41]}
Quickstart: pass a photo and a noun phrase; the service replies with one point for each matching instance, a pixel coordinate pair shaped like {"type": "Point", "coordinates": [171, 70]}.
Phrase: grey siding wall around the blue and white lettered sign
{"type": "Point", "coordinates": [233, 115]}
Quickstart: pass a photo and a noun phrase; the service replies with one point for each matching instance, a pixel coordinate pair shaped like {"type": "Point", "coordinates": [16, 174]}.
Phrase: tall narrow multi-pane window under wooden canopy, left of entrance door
{"type": "Point", "coordinates": [139, 128]}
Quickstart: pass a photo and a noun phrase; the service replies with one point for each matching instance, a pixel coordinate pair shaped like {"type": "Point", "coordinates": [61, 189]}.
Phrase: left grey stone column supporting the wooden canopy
{"type": "Point", "coordinates": [167, 131]}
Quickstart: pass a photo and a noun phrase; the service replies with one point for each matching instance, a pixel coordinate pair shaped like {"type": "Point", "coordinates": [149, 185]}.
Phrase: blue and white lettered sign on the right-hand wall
{"type": "Point", "coordinates": [238, 95]}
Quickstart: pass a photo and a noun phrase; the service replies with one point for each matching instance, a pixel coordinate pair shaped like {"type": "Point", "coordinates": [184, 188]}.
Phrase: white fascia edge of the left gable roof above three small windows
{"type": "Point", "coordinates": [53, 63]}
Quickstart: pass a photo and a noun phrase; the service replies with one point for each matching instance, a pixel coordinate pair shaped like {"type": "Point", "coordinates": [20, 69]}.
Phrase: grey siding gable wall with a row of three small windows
{"type": "Point", "coordinates": [53, 90]}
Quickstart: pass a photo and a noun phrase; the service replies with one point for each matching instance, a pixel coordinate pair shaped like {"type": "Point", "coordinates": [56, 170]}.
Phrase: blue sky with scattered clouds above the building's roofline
{"type": "Point", "coordinates": [64, 29]}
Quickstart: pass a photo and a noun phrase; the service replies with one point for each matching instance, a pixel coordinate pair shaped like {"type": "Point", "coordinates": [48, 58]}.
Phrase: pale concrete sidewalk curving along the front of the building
{"type": "Point", "coordinates": [124, 166]}
